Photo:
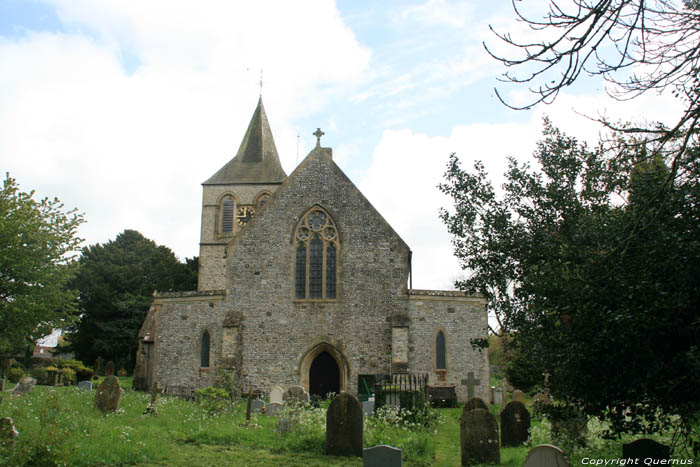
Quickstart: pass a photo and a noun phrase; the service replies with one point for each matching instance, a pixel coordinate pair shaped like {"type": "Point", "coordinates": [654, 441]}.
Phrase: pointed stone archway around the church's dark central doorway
{"type": "Point", "coordinates": [323, 369]}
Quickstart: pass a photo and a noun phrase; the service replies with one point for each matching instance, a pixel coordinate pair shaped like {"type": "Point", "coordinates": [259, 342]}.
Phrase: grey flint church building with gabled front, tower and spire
{"type": "Point", "coordinates": [303, 282]}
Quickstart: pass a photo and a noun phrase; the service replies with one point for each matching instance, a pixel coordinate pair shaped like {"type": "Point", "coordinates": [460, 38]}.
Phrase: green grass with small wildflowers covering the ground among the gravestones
{"type": "Point", "coordinates": [59, 426]}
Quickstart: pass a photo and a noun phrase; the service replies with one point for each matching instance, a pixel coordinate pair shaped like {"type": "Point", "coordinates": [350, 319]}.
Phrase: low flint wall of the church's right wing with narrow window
{"type": "Point", "coordinates": [461, 318]}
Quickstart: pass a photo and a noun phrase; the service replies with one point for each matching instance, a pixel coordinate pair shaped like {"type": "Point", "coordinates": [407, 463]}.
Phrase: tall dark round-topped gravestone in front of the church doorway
{"type": "Point", "coordinates": [344, 426]}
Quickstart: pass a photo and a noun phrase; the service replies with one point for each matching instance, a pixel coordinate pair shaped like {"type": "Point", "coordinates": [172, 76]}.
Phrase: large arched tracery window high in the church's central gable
{"type": "Point", "coordinates": [316, 241]}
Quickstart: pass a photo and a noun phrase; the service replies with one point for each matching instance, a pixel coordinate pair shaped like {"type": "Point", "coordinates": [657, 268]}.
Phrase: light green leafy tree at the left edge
{"type": "Point", "coordinates": [38, 241]}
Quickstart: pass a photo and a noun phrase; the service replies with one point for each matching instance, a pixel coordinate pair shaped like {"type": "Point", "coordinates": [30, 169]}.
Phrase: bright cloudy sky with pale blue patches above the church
{"type": "Point", "coordinates": [123, 108]}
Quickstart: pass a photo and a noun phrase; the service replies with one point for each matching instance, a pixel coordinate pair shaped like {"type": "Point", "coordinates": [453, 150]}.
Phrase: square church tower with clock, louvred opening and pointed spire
{"type": "Point", "coordinates": [233, 194]}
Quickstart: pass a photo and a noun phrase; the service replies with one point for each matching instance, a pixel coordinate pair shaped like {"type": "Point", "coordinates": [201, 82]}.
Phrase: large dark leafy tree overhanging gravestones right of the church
{"type": "Point", "coordinates": [594, 270]}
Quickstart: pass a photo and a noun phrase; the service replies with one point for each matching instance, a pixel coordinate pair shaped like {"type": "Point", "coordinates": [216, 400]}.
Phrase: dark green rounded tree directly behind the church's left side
{"type": "Point", "coordinates": [116, 284]}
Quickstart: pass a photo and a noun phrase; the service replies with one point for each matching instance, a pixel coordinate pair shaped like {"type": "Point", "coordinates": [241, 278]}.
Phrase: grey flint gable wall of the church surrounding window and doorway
{"type": "Point", "coordinates": [278, 330]}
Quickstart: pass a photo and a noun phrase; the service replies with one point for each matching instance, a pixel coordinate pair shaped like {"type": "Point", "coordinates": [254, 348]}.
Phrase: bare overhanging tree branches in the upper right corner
{"type": "Point", "coordinates": [637, 46]}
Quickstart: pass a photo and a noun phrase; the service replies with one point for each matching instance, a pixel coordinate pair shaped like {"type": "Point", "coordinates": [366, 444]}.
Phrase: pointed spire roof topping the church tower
{"type": "Point", "coordinates": [257, 160]}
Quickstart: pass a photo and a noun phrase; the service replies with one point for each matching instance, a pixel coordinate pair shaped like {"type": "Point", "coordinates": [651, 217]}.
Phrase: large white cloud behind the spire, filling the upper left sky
{"type": "Point", "coordinates": [130, 145]}
